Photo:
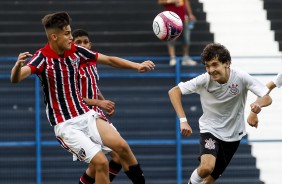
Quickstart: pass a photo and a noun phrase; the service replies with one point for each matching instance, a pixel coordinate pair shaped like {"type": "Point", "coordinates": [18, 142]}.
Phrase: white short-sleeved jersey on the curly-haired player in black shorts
{"type": "Point", "coordinates": [223, 104]}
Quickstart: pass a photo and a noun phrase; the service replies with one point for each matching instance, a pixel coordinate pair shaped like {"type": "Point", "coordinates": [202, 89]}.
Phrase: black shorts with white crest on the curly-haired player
{"type": "Point", "coordinates": [223, 151]}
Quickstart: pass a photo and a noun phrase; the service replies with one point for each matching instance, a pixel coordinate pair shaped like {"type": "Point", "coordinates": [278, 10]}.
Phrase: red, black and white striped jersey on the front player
{"type": "Point", "coordinates": [59, 80]}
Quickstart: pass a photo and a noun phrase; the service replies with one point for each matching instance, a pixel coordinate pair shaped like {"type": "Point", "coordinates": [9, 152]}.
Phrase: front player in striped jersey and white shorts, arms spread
{"type": "Point", "coordinates": [80, 130]}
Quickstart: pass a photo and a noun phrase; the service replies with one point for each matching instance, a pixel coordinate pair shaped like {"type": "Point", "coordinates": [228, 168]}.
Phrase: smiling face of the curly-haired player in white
{"type": "Point", "coordinates": [218, 71]}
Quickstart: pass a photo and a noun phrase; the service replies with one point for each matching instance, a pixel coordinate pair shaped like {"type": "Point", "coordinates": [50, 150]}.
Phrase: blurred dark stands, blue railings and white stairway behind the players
{"type": "Point", "coordinates": [250, 29]}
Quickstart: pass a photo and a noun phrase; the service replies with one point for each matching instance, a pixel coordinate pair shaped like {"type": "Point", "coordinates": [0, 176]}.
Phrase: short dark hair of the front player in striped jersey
{"type": "Point", "coordinates": [56, 20]}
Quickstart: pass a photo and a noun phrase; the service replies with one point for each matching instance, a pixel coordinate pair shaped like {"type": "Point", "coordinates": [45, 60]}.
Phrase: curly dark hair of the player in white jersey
{"type": "Point", "coordinates": [215, 51]}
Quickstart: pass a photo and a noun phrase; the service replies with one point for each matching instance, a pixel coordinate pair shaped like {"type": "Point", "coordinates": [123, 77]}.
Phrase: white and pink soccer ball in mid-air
{"type": "Point", "coordinates": [167, 26]}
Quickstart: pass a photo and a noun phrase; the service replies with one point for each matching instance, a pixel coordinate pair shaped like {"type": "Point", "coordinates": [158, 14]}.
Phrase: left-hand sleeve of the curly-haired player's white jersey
{"type": "Point", "coordinates": [193, 85]}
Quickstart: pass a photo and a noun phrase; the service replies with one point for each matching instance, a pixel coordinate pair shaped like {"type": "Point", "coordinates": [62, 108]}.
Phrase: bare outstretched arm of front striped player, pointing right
{"type": "Point", "coordinates": [125, 64]}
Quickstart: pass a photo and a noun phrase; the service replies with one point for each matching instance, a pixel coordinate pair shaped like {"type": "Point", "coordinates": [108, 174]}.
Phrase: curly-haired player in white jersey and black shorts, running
{"type": "Point", "coordinates": [223, 92]}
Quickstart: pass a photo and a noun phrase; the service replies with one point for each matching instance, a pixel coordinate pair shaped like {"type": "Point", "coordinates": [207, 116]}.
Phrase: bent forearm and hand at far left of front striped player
{"type": "Point", "coordinates": [20, 72]}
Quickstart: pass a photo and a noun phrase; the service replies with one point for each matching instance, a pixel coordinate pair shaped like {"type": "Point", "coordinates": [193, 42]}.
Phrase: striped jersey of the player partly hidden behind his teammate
{"type": "Point", "coordinates": [88, 84]}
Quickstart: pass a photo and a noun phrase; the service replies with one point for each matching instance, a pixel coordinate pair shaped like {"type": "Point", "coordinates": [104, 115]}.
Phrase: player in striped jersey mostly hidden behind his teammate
{"type": "Point", "coordinates": [88, 82]}
